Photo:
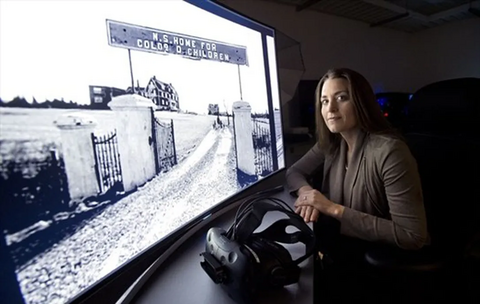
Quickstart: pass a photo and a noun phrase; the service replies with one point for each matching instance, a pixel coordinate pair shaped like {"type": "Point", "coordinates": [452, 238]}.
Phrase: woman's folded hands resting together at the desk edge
{"type": "Point", "coordinates": [315, 199]}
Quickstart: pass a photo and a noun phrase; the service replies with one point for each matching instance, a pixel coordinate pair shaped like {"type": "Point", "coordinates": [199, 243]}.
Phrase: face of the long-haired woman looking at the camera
{"type": "Point", "coordinates": [337, 107]}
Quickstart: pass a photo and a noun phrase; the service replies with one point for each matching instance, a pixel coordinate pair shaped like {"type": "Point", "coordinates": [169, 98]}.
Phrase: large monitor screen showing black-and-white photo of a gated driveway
{"type": "Point", "coordinates": [120, 122]}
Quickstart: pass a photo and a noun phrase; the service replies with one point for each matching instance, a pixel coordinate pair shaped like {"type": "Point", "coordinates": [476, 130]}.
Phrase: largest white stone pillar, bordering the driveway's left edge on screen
{"type": "Point", "coordinates": [133, 116]}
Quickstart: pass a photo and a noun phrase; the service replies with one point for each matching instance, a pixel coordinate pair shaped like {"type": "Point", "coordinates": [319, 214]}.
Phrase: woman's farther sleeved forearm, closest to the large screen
{"type": "Point", "coordinates": [298, 174]}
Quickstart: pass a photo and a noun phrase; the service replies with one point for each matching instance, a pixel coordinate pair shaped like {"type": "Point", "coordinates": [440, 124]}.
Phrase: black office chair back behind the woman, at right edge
{"type": "Point", "coordinates": [444, 120]}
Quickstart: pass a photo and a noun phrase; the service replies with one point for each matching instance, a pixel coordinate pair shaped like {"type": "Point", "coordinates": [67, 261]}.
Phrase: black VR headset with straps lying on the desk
{"type": "Point", "coordinates": [244, 262]}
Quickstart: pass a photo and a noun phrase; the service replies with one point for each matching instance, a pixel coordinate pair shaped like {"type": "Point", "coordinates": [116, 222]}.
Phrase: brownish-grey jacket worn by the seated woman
{"type": "Point", "coordinates": [381, 190]}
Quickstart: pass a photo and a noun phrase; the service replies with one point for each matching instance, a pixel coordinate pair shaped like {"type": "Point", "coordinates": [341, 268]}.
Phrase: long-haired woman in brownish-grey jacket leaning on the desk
{"type": "Point", "coordinates": [371, 186]}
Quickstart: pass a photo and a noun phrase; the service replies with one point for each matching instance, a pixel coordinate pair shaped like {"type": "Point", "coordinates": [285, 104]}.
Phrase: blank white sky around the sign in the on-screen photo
{"type": "Point", "coordinates": [56, 49]}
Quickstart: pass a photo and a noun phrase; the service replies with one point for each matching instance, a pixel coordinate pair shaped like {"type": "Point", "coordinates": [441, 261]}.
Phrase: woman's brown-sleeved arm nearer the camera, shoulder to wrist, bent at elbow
{"type": "Point", "coordinates": [407, 228]}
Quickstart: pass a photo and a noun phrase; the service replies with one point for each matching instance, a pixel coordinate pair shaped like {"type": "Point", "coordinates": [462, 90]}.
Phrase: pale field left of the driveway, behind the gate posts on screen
{"type": "Point", "coordinates": [28, 133]}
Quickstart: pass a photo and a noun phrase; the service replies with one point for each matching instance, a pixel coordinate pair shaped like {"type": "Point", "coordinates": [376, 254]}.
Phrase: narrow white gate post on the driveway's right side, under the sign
{"type": "Point", "coordinates": [243, 130]}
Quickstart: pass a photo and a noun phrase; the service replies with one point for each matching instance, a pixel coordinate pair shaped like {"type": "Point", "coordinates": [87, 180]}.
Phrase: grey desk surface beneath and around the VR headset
{"type": "Point", "coordinates": [181, 279]}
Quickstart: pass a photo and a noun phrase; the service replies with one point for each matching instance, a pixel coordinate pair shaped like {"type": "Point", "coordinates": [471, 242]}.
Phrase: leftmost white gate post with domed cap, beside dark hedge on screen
{"type": "Point", "coordinates": [77, 151]}
